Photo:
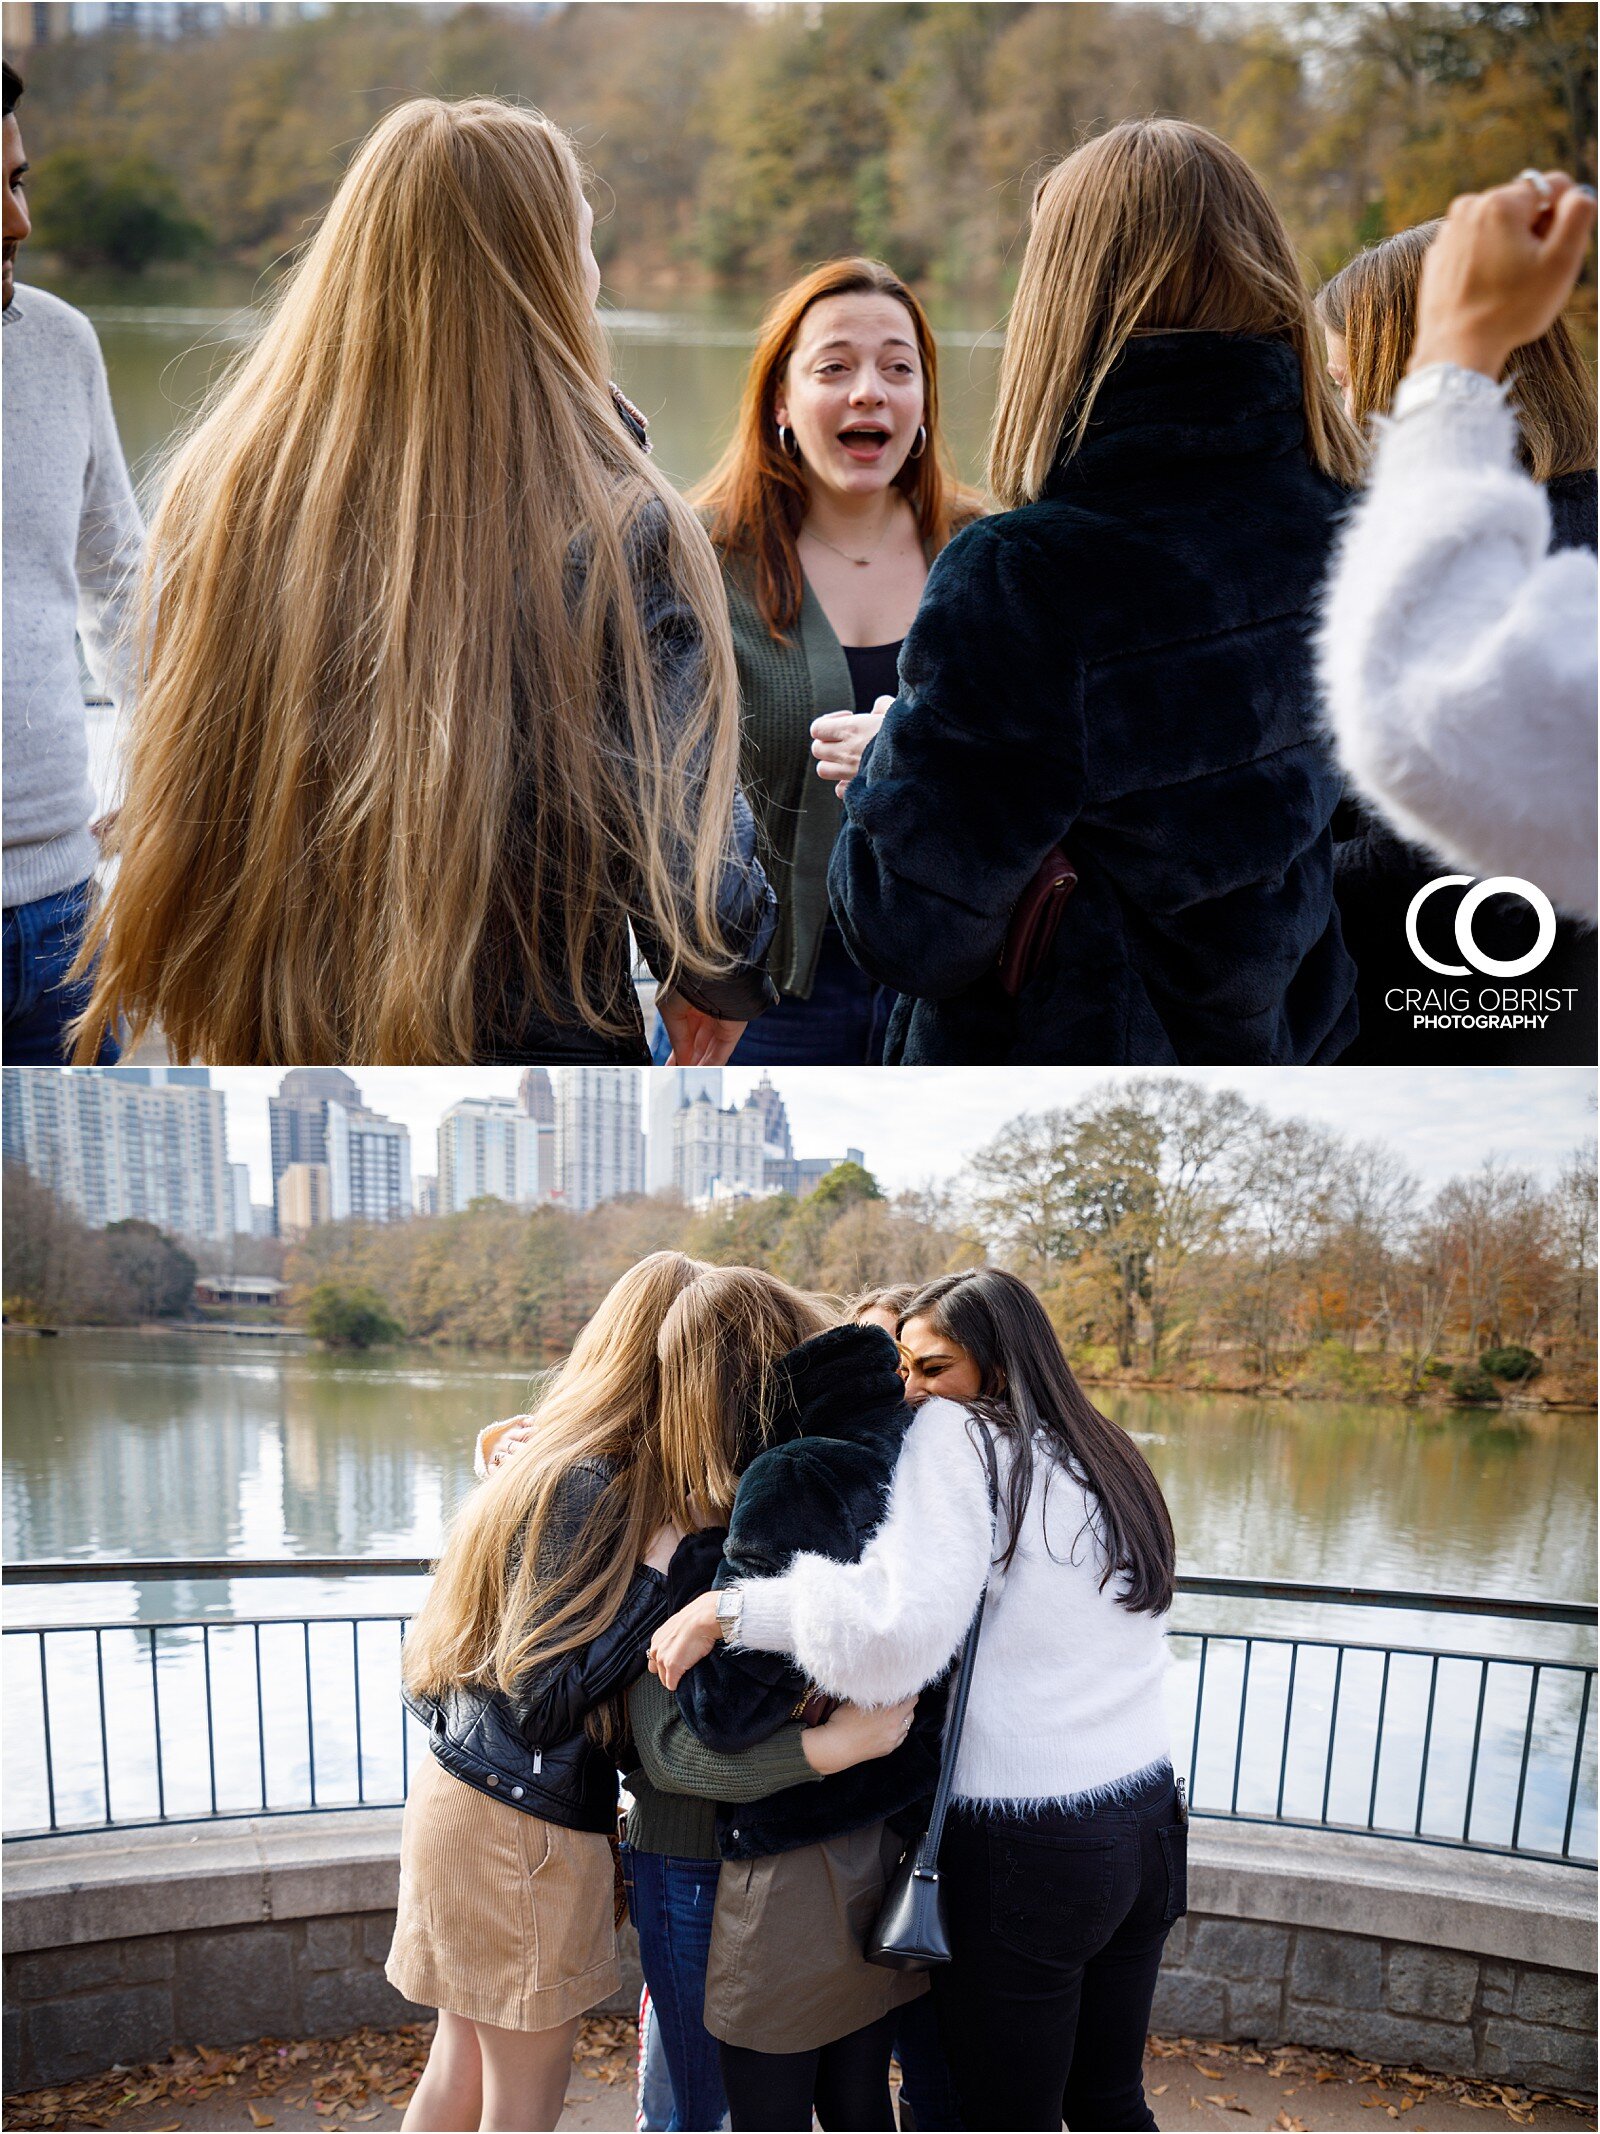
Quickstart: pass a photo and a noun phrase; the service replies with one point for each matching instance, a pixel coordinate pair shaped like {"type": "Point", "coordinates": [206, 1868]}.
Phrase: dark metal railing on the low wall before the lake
{"type": "Point", "coordinates": [195, 1721]}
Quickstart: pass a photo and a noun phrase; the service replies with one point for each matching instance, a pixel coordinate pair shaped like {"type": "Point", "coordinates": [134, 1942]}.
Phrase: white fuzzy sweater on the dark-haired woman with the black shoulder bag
{"type": "Point", "coordinates": [1068, 1691]}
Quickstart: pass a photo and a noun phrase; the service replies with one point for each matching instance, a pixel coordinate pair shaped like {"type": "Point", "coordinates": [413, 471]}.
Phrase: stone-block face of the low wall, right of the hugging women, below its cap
{"type": "Point", "coordinates": [1379, 1998]}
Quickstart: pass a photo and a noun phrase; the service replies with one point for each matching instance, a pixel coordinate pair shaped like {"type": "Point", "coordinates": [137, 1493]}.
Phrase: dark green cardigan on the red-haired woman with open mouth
{"type": "Point", "coordinates": [782, 688]}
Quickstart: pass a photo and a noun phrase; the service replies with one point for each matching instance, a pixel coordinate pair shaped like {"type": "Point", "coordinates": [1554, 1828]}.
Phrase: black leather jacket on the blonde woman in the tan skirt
{"type": "Point", "coordinates": [532, 1749]}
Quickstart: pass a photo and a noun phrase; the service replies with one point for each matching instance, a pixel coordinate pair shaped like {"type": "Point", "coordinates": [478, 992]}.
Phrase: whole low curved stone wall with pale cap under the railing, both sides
{"type": "Point", "coordinates": [123, 1945]}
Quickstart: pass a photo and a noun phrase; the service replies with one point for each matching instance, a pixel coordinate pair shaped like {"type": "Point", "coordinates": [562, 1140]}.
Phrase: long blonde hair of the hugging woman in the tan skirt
{"type": "Point", "coordinates": [490, 1617]}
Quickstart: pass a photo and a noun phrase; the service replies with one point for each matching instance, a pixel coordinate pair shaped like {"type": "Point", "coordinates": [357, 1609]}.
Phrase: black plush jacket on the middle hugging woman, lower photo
{"type": "Point", "coordinates": [820, 1486]}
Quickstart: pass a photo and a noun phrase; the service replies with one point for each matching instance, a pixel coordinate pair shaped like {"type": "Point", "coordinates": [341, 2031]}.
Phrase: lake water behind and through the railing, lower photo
{"type": "Point", "coordinates": [125, 1446]}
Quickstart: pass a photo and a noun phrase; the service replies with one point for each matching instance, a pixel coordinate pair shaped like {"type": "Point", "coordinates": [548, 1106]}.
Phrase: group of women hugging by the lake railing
{"type": "Point", "coordinates": [867, 1612]}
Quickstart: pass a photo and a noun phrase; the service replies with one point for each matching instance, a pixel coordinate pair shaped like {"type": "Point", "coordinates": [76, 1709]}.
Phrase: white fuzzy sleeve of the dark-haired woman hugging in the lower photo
{"type": "Point", "coordinates": [884, 1627]}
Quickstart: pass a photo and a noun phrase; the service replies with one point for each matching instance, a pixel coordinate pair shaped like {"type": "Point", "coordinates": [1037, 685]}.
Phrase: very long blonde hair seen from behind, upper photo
{"type": "Point", "coordinates": [400, 748]}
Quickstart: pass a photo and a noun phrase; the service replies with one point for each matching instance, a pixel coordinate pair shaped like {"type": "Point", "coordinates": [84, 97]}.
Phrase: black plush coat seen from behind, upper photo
{"type": "Point", "coordinates": [1123, 669]}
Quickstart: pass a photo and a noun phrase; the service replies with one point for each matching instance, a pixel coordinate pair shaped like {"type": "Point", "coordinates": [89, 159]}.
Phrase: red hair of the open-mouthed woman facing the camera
{"type": "Point", "coordinates": [756, 496]}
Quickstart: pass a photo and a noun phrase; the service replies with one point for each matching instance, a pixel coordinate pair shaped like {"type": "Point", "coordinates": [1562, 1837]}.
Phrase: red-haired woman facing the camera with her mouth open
{"type": "Point", "coordinates": [827, 511]}
